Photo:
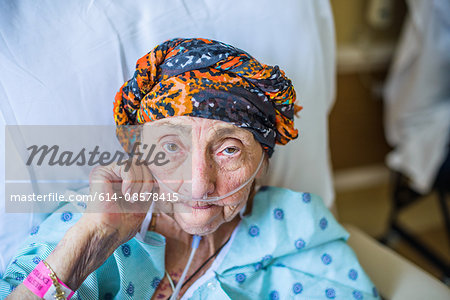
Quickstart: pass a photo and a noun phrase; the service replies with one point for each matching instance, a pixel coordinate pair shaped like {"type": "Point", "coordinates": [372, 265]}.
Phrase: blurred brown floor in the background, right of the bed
{"type": "Point", "coordinates": [367, 206]}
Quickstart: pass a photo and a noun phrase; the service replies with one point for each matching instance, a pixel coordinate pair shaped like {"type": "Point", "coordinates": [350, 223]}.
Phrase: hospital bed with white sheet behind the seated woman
{"type": "Point", "coordinates": [62, 62]}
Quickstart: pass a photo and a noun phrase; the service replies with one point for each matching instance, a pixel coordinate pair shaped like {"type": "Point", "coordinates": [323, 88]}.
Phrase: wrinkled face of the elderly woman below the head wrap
{"type": "Point", "coordinates": [205, 157]}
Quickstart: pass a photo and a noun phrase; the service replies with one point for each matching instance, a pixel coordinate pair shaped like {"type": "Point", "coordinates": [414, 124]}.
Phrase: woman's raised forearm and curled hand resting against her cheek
{"type": "Point", "coordinates": [103, 227]}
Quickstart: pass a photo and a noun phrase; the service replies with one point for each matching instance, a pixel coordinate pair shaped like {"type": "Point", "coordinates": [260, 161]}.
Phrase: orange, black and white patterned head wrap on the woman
{"type": "Point", "coordinates": [209, 79]}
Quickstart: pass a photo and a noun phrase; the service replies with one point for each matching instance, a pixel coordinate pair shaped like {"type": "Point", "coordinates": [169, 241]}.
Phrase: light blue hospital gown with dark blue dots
{"type": "Point", "coordinates": [290, 247]}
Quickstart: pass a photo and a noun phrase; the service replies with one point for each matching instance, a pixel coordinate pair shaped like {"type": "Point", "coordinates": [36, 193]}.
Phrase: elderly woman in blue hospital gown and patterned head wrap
{"type": "Point", "coordinates": [220, 110]}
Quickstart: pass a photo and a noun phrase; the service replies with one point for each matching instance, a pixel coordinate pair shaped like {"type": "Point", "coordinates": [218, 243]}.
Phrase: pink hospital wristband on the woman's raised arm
{"type": "Point", "coordinates": [40, 283]}
